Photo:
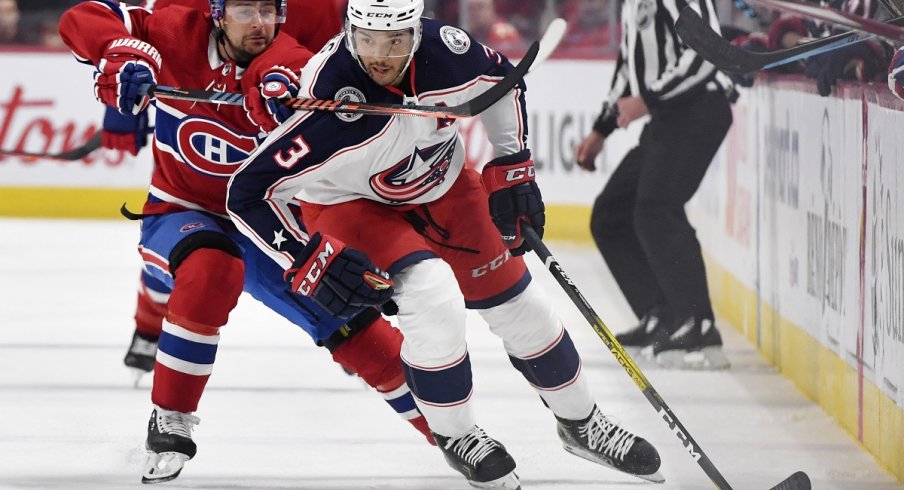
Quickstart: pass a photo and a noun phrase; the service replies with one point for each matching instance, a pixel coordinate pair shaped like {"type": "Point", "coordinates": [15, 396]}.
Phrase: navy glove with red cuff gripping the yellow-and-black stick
{"type": "Point", "coordinates": [514, 198]}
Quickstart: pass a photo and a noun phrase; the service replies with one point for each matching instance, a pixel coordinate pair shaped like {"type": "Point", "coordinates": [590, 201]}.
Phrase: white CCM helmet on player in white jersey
{"type": "Point", "coordinates": [384, 15]}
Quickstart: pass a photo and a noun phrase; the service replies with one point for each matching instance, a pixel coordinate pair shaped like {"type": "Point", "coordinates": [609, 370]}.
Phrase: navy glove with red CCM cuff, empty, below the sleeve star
{"type": "Point", "coordinates": [341, 280]}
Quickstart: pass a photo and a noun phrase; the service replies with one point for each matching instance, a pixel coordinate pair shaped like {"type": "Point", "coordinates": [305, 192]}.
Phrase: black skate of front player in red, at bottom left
{"type": "Point", "coordinates": [169, 444]}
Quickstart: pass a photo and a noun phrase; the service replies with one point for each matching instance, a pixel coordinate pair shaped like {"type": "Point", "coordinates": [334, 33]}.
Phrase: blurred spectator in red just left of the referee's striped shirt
{"type": "Point", "coordinates": [590, 28]}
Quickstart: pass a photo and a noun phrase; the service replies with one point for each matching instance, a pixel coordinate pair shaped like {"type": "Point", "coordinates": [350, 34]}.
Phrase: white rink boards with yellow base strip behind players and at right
{"type": "Point", "coordinates": [800, 214]}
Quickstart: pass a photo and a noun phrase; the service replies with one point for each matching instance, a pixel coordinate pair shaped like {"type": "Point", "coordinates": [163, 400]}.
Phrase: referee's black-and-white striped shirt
{"type": "Point", "coordinates": [654, 63]}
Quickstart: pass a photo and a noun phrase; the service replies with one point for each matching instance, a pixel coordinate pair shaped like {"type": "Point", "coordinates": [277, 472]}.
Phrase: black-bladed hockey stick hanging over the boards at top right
{"type": "Point", "coordinates": [697, 34]}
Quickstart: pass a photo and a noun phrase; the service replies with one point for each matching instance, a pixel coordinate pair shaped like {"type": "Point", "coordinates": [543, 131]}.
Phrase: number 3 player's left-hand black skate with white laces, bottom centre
{"type": "Point", "coordinates": [481, 459]}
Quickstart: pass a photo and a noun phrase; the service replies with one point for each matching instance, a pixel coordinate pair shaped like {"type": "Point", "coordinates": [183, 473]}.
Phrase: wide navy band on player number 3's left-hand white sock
{"type": "Point", "coordinates": [445, 386]}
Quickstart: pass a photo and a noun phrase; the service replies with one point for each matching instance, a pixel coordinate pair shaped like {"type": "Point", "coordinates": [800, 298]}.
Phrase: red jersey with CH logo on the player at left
{"type": "Point", "coordinates": [197, 146]}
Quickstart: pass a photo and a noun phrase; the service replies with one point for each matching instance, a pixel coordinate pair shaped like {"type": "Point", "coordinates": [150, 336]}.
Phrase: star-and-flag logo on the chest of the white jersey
{"type": "Point", "coordinates": [416, 174]}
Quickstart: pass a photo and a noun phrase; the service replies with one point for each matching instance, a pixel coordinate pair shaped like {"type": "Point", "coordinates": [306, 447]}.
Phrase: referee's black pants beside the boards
{"type": "Point", "coordinates": [639, 222]}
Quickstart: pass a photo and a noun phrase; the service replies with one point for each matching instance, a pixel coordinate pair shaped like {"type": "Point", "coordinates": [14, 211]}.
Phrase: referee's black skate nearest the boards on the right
{"type": "Point", "coordinates": [696, 344]}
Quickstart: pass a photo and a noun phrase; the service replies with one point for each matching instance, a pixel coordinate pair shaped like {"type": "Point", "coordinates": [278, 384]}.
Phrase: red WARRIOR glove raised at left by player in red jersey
{"type": "Point", "coordinates": [127, 64]}
